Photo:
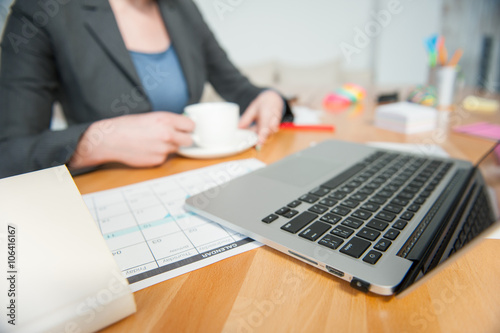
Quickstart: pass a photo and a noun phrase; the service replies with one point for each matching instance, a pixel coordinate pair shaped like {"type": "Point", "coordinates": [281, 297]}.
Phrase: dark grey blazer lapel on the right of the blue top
{"type": "Point", "coordinates": [182, 44]}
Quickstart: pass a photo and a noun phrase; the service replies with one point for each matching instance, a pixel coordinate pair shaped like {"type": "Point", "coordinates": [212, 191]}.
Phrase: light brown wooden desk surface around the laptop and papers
{"type": "Point", "coordinates": [266, 291]}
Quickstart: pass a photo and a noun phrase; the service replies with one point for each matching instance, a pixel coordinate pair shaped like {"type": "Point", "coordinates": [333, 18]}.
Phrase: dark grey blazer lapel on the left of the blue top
{"type": "Point", "coordinates": [101, 23]}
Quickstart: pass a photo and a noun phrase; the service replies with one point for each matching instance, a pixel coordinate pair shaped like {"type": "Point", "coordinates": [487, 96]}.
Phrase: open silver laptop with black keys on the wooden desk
{"type": "Point", "coordinates": [377, 218]}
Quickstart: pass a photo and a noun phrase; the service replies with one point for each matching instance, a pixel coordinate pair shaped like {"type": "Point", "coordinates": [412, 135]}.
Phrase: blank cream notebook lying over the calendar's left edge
{"type": "Point", "coordinates": [59, 275]}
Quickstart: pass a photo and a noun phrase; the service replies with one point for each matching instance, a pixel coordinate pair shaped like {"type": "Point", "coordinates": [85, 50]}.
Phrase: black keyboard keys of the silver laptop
{"type": "Point", "coordinates": [361, 211]}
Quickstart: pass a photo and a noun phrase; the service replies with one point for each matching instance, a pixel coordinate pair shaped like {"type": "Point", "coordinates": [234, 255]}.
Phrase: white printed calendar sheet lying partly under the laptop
{"type": "Point", "coordinates": [153, 238]}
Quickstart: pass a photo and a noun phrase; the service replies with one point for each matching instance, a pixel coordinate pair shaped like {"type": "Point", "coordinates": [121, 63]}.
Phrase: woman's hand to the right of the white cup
{"type": "Point", "coordinates": [266, 110]}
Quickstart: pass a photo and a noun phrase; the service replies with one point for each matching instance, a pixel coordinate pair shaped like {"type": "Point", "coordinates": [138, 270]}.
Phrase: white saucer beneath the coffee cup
{"type": "Point", "coordinates": [244, 139]}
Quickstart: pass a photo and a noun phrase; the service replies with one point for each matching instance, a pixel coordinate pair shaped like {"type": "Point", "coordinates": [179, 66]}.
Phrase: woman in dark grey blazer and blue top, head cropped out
{"type": "Point", "coordinates": [109, 64]}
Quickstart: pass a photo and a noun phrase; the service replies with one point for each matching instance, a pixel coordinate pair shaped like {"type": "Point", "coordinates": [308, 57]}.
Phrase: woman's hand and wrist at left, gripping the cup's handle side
{"type": "Point", "coordinates": [139, 140]}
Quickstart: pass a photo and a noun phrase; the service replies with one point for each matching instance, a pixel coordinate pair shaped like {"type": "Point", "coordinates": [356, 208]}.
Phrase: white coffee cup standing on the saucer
{"type": "Point", "coordinates": [215, 123]}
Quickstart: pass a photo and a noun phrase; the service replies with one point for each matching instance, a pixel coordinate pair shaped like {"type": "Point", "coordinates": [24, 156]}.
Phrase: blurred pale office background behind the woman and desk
{"type": "Point", "coordinates": [314, 46]}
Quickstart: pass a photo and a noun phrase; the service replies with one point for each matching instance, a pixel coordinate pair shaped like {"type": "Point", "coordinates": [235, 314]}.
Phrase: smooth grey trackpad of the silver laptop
{"type": "Point", "coordinates": [301, 171]}
